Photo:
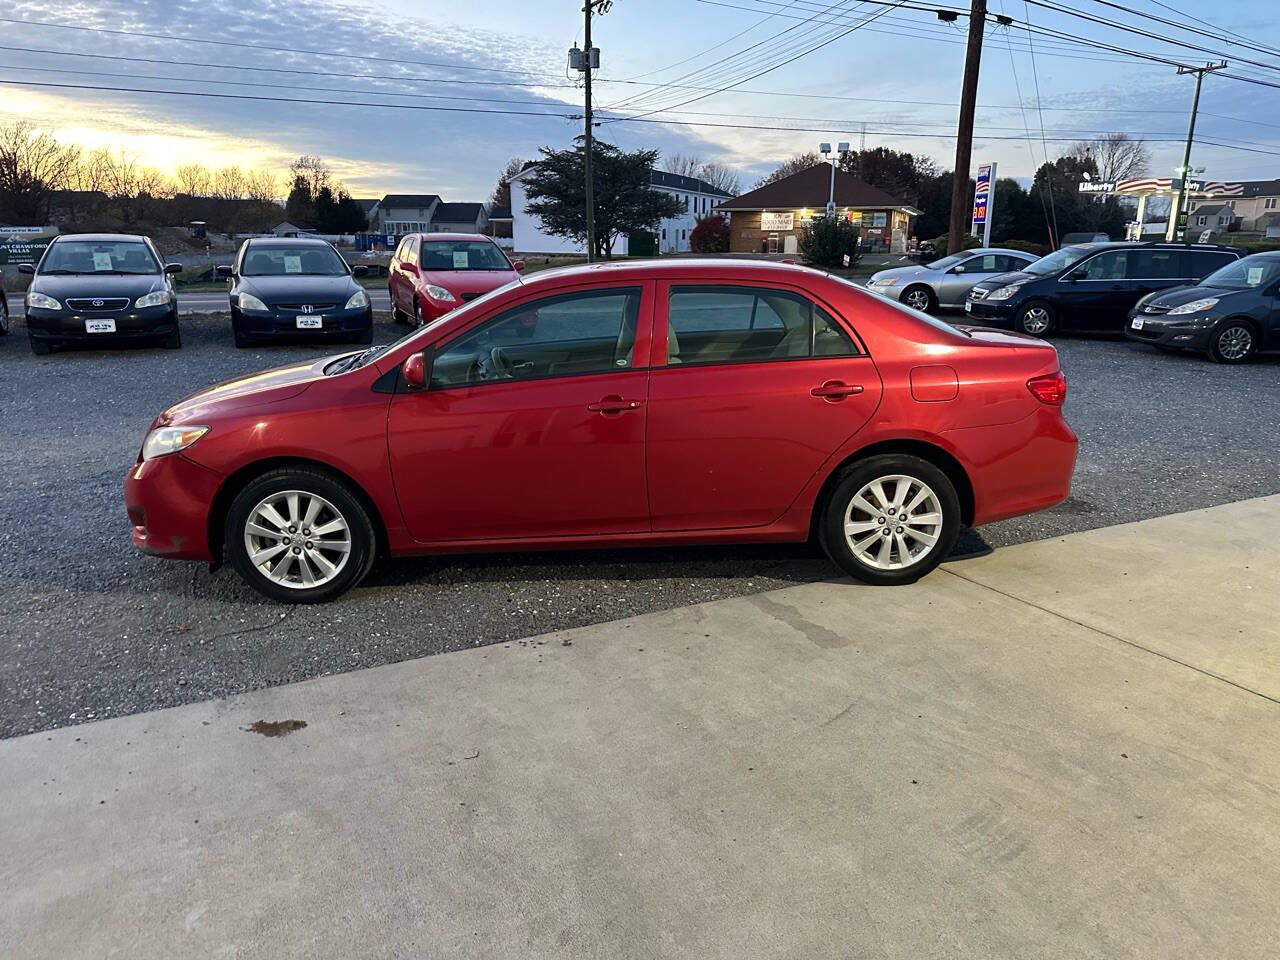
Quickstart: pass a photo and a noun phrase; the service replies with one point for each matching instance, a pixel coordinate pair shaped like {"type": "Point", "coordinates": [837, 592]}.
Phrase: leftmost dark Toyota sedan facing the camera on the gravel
{"type": "Point", "coordinates": [100, 287]}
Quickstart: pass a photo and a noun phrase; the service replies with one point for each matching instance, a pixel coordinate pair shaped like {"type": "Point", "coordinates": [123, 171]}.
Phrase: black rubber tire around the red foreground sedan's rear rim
{"type": "Point", "coordinates": [890, 469]}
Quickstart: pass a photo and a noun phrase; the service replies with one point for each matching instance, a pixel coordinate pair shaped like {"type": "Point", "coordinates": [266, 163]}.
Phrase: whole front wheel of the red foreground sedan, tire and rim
{"type": "Point", "coordinates": [300, 536]}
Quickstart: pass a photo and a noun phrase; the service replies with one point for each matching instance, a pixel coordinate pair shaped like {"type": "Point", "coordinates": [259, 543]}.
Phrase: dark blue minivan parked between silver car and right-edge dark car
{"type": "Point", "coordinates": [1090, 286]}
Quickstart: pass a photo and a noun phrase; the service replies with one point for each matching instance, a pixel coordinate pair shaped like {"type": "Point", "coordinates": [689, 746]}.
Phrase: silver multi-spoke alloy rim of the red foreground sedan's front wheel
{"type": "Point", "coordinates": [298, 540]}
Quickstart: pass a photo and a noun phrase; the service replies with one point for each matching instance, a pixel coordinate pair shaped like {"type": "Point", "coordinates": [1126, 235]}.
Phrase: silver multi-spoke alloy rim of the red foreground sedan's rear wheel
{"type": "Point", "coordinates": [893, 523]}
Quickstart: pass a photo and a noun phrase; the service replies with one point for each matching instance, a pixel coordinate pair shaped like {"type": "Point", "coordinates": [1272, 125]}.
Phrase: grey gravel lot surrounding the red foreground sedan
{"type": "Point", "coordinates": [93, 629]}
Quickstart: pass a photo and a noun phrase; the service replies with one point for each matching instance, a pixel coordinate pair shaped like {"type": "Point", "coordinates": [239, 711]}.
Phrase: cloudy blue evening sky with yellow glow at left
{"type": "Point", "coordinates": [860, 71]}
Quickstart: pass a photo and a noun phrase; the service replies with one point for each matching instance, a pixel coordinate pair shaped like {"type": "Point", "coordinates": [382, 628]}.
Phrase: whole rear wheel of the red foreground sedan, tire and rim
{"type": "Point", "coordinates": [890, 520]}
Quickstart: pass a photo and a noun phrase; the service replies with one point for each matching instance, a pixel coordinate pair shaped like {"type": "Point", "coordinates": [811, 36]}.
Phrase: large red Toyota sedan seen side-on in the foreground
{"type": "Point", "coordinates": [637, 404]}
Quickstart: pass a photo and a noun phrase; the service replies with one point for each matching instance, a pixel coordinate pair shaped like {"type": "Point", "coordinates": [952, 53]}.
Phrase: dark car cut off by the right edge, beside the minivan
{"type": "Point", "coordinates": [1231, 316]}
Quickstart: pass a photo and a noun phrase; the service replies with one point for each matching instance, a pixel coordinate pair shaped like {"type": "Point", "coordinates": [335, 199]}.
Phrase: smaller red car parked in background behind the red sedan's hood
{"type": "Point", "coordinates": [432, 275]}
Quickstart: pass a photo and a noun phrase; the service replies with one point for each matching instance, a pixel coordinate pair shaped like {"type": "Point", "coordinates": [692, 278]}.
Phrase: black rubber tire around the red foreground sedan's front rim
{"type": "Point", "coordinates": [346, 506]}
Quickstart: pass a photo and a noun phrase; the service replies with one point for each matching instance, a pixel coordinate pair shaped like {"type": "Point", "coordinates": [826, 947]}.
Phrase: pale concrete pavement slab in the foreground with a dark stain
{"type": "Point", "coordinates": [1067, 749]}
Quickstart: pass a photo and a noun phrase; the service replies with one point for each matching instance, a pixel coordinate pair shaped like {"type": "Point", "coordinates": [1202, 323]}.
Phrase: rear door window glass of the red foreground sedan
{"type": "Point", "coordinates": [748, 326]}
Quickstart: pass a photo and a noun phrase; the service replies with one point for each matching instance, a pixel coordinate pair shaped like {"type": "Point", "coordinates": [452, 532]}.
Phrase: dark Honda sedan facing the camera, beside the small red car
{"type": "Point", "coordinates": [286, 289]}
